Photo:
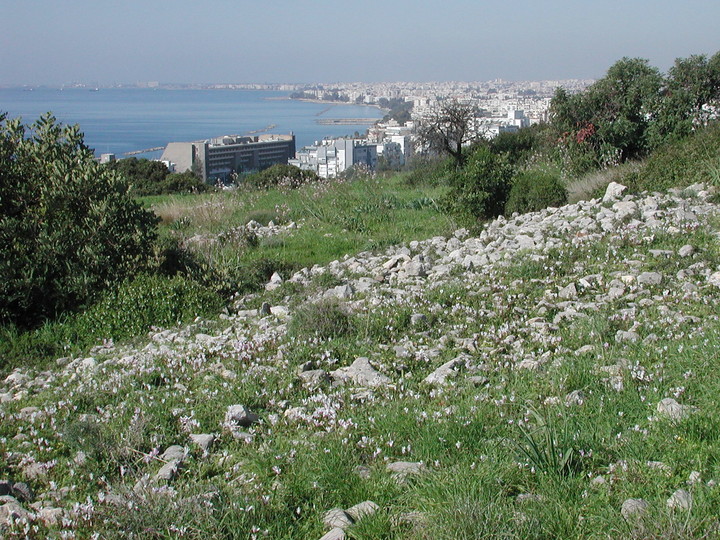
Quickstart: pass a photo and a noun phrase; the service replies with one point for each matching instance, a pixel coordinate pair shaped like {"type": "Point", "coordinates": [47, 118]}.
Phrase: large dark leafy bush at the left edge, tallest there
{"type": "Point", "coordinates": [68, 228]}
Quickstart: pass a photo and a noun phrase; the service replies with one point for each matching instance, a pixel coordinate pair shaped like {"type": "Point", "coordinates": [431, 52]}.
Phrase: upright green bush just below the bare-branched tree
{"type": "Point", "coordinates": [480, 189]}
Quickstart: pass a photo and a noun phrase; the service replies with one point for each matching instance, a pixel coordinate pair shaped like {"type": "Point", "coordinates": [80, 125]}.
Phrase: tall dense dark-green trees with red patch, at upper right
{"type": "Point", "coordinates": [633, 110]}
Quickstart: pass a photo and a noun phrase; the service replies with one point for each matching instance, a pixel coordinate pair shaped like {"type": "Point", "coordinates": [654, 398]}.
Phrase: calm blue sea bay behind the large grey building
{"type": "Point", "coordinates": [126, 120]}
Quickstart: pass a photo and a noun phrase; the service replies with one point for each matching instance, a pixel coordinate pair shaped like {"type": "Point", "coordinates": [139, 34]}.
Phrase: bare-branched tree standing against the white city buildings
{"type": "Point", "coordinates": [448, 128]}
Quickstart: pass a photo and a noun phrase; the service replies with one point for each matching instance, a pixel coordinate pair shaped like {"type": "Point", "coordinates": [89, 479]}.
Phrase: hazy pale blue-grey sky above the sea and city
{"type": "Point", "coordinates": [108, 41]}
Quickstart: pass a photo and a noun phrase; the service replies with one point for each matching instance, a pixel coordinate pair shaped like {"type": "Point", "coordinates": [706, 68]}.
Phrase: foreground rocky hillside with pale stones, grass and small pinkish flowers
{"type": "Point", "coordinates": [553, 377]}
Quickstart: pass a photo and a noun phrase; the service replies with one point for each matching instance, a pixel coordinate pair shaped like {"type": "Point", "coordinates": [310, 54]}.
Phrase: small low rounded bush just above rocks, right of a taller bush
{"type": "Point", "coordinates": [534, 190]}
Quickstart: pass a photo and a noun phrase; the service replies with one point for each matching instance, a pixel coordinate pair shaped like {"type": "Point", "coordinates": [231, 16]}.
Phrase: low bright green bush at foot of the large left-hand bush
{"type": "Point", "coordinates": [146, 301]}
